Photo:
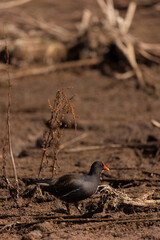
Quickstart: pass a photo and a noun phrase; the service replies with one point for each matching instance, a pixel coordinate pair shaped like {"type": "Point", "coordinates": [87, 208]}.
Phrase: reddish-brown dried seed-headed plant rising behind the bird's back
{"type": "Point", "coordinates": [61, 108]}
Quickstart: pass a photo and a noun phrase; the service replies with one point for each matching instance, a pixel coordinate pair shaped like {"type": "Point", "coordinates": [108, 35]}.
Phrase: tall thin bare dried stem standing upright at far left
{"type": "Point", "coordinates": [8, 122]}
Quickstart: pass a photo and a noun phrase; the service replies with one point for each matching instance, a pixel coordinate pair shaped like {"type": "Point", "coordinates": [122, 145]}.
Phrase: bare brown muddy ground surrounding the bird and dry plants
{"type": "Point", "coordinates": [110, 111]}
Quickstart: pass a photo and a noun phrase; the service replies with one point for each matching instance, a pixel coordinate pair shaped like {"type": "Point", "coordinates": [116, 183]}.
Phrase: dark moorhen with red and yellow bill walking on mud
{"type": "Point", "coordinates": [72, 188]}
